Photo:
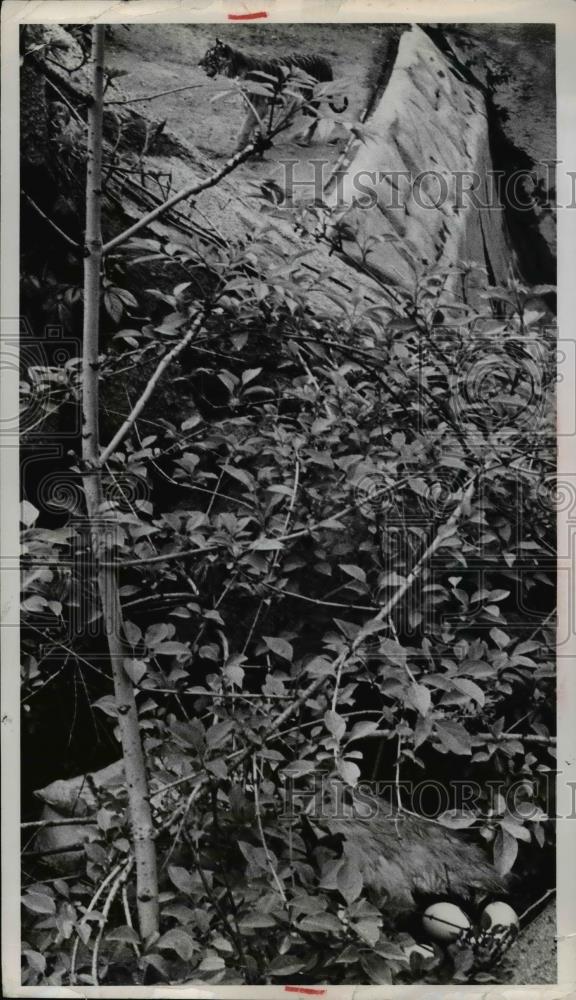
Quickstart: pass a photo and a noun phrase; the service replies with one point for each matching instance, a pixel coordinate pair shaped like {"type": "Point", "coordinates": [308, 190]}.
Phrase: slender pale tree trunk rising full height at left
{"type": "Point", "coordinates": [134, 766]}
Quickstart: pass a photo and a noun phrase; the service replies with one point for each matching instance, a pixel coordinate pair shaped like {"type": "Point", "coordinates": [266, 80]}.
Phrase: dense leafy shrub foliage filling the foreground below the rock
{"type": "Point", "coordinates": [257, 541]}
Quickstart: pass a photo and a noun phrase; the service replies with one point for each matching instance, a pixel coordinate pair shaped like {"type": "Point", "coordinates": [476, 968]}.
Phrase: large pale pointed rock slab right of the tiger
{"type": "Point", "coordinates": [427, 169]}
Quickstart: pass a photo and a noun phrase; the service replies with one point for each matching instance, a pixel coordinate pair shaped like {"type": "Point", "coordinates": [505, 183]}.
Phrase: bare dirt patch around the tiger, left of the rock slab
{"type": "Point", "coordinates": [156, 58]}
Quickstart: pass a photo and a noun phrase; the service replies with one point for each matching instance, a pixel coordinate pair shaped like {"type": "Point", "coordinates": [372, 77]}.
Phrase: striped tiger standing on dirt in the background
{"type": "Point", "coordinates": [221, 59]}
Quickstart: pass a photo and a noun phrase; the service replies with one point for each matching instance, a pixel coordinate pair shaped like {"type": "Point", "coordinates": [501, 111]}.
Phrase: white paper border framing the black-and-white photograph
{"type": "Point", "coordinates": [14, 13]}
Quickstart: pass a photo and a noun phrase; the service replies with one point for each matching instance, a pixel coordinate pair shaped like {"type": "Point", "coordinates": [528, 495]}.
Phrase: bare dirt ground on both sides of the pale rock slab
{"type": "Point", "coordinates": [157, 58]}
